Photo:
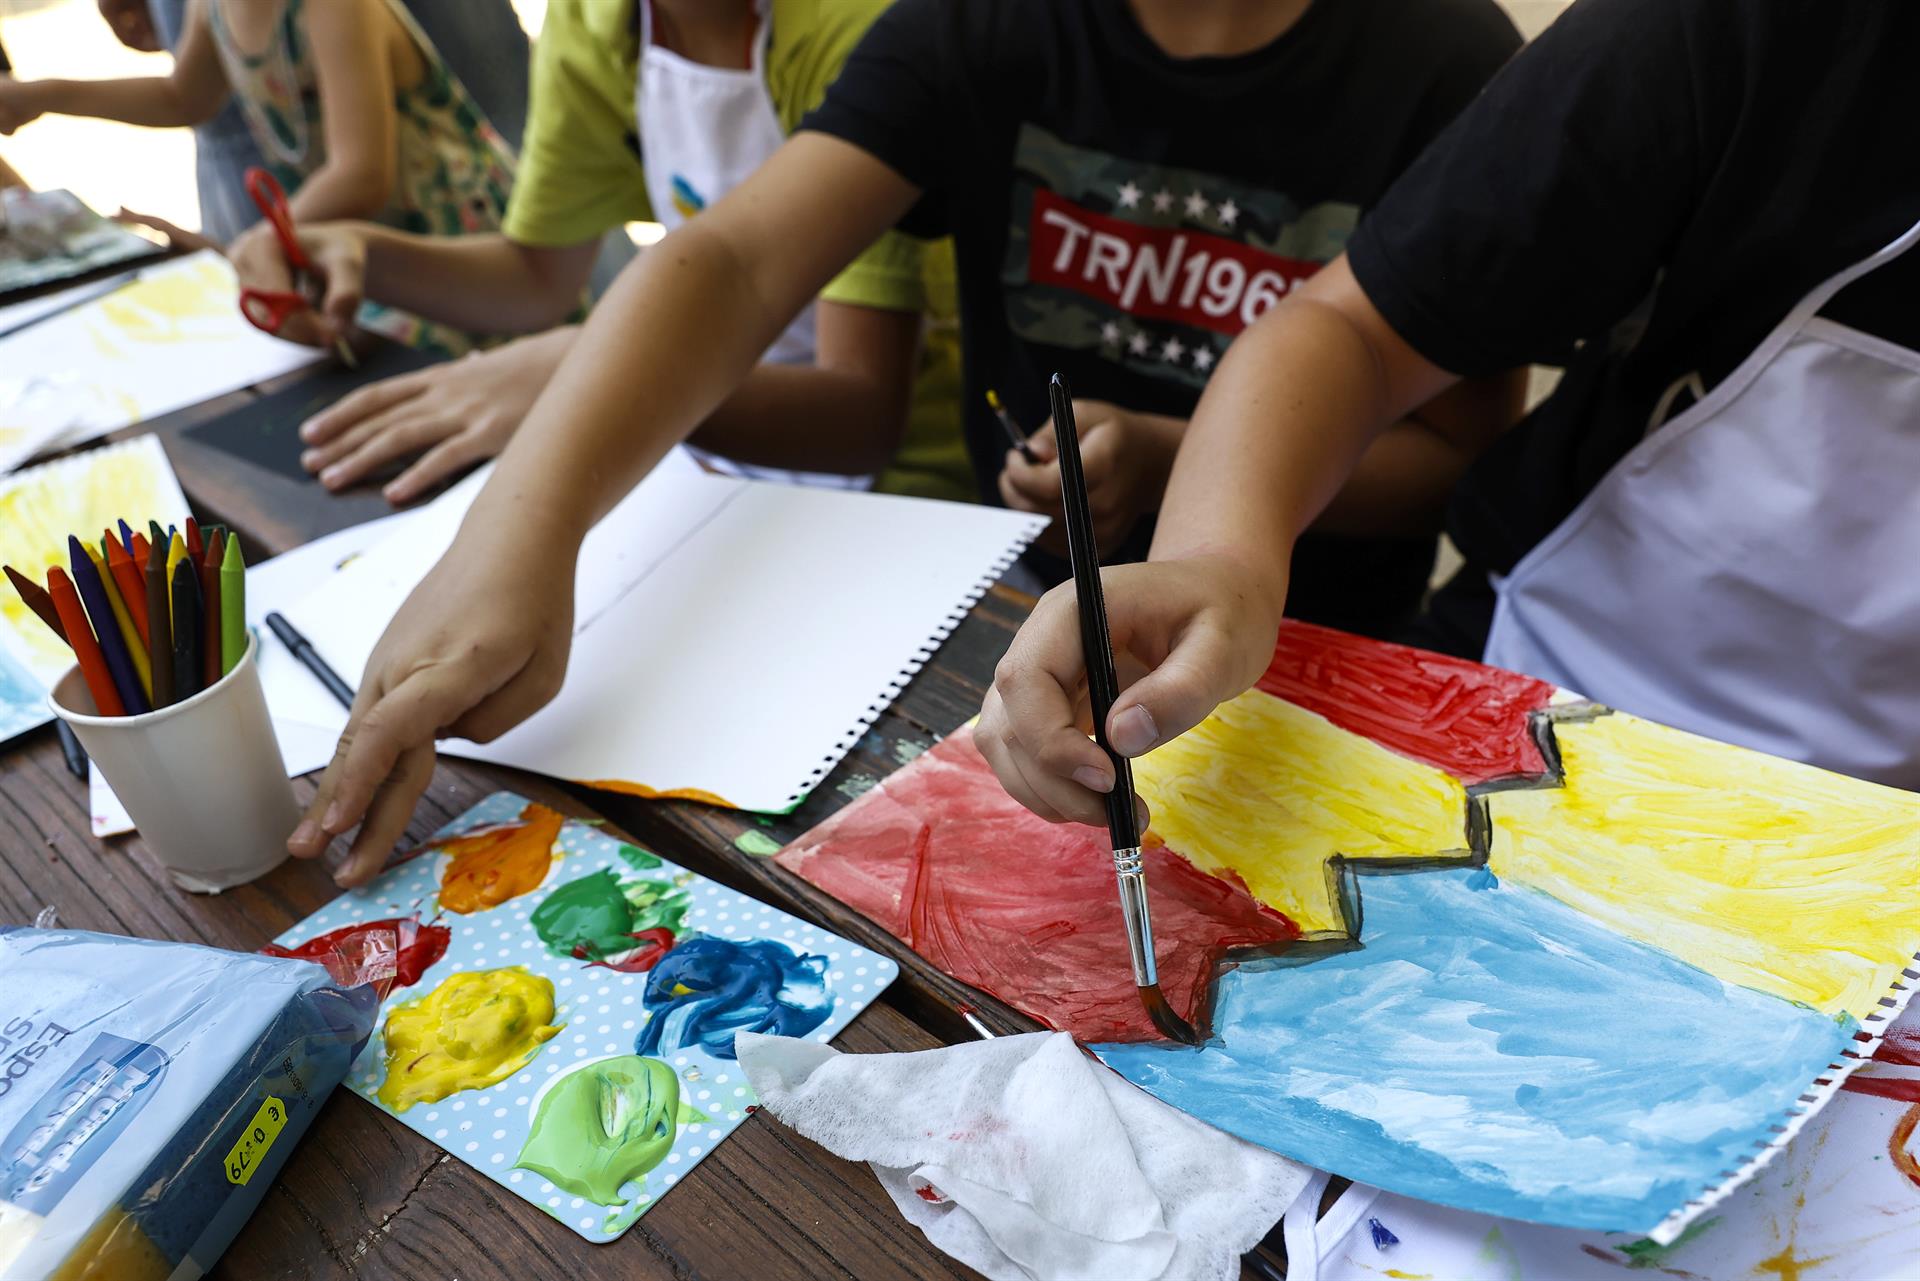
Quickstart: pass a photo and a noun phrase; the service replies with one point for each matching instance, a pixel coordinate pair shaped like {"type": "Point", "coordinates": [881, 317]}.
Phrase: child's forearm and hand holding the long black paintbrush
{"type": "Point", "coordinates": [1282, 427]}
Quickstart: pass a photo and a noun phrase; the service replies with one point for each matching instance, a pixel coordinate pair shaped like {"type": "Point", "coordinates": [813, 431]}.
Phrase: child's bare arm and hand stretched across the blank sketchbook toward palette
{"type": "Point", "coordinates": [483, 640]}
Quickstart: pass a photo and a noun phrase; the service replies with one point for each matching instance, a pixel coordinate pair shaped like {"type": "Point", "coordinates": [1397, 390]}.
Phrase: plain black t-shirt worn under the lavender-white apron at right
{"type": "Point", "coordinates": [1643, 195]}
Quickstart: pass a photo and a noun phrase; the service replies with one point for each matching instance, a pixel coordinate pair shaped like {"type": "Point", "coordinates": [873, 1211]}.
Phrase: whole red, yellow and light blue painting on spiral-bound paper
{"type": "Point", "coordinates": [1452, 932]}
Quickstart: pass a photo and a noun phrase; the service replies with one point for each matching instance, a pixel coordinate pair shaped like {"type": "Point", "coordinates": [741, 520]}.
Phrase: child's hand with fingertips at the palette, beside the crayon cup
{"type": "Point", "coordinates": [479, 648]}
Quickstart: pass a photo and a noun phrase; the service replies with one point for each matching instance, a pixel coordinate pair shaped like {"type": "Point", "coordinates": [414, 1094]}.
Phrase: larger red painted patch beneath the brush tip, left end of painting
{"type": "Point", "coordinates": [946, 861]}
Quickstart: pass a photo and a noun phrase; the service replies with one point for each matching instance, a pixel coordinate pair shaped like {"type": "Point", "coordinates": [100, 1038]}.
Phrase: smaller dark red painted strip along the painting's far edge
{"type": "Point", "coordinates": [1454, 715]}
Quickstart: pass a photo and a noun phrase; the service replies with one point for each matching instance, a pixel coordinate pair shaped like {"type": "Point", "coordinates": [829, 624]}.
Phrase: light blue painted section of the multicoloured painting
{"type": "Point", "coordinates": [1493, 1050]}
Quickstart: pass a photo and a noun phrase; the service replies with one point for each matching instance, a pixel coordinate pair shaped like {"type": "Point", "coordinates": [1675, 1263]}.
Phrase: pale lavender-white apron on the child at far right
{"type": "Point", "coordinates": [1752, 569]}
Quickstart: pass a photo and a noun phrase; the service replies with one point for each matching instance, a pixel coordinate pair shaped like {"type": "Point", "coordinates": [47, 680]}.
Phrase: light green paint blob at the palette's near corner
{"type": "Point", "coordinates": [604, 1126]}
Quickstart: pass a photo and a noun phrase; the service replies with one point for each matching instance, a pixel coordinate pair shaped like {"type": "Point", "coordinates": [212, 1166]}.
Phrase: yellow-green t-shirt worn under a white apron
{"type": "Point", "coordinates": [581, 178]}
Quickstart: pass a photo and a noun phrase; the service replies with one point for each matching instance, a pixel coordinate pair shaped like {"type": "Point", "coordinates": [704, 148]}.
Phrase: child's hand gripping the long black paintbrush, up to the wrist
{"type": "Point", "coordinates": [1193, 633]}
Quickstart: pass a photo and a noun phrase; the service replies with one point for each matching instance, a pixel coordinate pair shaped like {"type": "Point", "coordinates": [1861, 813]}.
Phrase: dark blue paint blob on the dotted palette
{"type": "Point", "coordinates": [708, 990]}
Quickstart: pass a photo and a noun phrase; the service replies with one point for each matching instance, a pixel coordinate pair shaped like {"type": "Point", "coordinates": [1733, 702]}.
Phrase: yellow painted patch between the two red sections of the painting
{"type": "Point", "coordinates": [1272, 792]}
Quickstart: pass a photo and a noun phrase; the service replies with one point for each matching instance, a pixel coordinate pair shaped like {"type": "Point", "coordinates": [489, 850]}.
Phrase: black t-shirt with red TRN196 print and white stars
{"type": "Point", "coordinates": [1122, 214]}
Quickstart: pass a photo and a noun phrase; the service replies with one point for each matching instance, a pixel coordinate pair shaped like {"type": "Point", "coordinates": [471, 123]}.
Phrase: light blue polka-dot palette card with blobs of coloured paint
{"type": "Point", "coordinates": [565, 1003]}
